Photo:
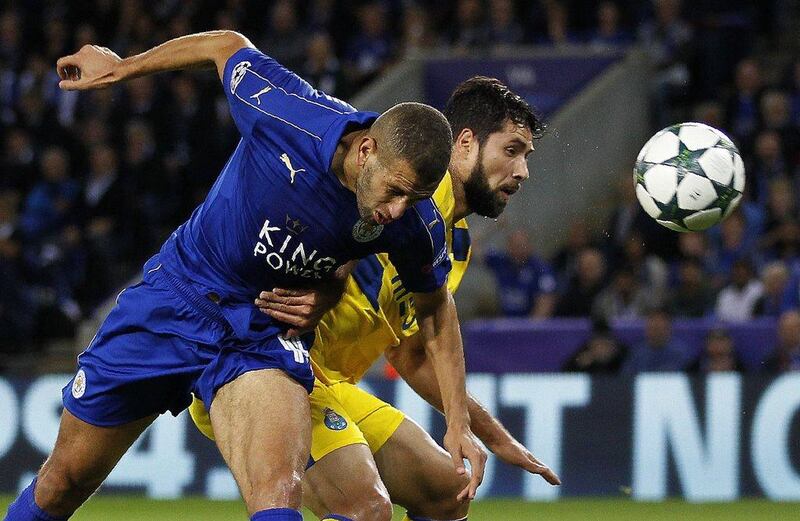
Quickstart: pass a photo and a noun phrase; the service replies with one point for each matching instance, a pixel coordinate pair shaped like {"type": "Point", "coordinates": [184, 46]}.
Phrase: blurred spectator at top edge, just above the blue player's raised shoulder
{"type": "Point", "coordinates": [285, 40]}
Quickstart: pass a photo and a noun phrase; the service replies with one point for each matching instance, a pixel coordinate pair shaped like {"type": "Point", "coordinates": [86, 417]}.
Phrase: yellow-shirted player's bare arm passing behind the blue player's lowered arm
{"type": "Point", "coordinates": [413, 365]}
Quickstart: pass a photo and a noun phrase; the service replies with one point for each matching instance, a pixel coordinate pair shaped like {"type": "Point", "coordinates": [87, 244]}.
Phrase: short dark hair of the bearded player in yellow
{"type": "Point", "coordinates": [484, 104]}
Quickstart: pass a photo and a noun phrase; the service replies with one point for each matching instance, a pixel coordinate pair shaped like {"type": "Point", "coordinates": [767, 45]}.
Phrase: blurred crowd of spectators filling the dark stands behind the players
{"type": "Point", "coordinates": [92, 183]}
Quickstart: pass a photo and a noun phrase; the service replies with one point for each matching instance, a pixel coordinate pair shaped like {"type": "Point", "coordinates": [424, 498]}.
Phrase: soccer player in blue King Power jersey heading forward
{"type": "Point", "coordinates": [312, 184]}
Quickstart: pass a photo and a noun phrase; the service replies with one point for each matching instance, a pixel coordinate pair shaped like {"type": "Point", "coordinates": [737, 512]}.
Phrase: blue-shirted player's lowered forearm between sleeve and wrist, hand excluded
{"type": "Point", "coordinates": [441, 338]}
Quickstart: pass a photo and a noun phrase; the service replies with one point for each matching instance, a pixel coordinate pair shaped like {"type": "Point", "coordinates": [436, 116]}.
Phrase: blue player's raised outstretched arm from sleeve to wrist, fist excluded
{"type": "Point", "coordinates": [201, 50]}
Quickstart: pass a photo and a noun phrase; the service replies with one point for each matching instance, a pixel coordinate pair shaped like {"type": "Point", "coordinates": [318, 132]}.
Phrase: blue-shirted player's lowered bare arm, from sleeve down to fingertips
{"type": "Point", "coordinates": [441, 336]}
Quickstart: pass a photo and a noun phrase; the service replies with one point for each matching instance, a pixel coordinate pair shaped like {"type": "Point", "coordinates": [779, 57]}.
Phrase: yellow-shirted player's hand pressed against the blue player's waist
{"type": "Point", "coordinates": [300, 308]}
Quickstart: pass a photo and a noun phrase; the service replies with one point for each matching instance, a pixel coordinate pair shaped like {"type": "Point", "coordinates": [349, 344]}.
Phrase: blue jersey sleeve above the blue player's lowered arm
{"type": "Point", "coordinates": [422, 260]}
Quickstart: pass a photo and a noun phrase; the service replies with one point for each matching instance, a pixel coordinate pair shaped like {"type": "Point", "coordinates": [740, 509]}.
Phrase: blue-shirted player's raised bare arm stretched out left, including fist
{"type": "Point", "coordinates": [96, 67]}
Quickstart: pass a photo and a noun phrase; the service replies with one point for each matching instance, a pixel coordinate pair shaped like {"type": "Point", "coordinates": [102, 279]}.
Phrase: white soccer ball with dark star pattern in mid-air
{"type": "Point", "coordinates": [689, 177]}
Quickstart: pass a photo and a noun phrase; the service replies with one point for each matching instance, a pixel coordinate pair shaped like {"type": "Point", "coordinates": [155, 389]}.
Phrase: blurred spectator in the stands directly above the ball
{"type": "Point", "coordinates": [668, 41]}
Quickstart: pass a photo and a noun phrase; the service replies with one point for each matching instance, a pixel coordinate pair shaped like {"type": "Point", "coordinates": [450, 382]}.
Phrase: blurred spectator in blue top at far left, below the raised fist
{"type": "Point", "coordinates": [51, 201]}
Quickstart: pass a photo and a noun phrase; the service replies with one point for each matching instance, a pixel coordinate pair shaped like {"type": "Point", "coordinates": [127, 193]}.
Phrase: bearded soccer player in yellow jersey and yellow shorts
{"type": "Point", "coordinates": [366, 454]}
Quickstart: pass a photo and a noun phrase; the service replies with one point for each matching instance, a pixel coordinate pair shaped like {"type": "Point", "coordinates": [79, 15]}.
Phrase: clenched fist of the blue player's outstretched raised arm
{"type": "Point", "coordinates": [93, 67]}
